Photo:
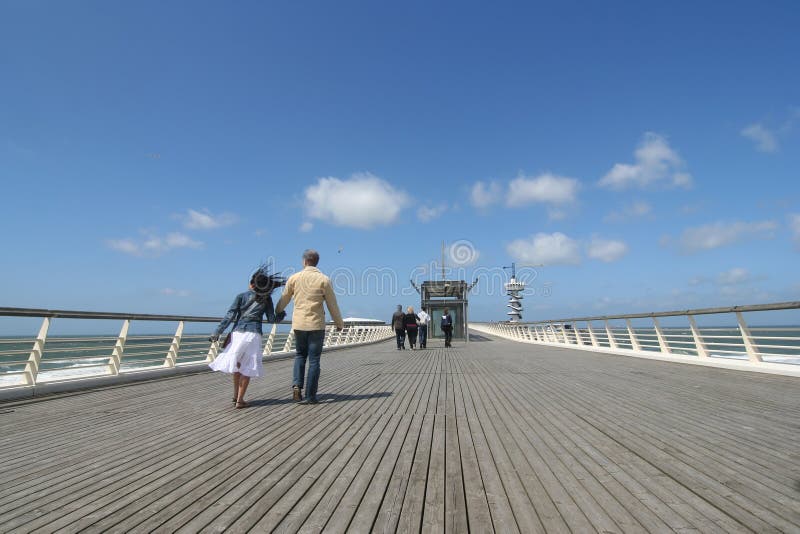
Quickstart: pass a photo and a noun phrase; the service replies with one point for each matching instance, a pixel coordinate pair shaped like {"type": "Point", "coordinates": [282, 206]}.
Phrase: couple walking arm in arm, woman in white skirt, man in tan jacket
{"type": "Point", "coordinates": [242, 357]}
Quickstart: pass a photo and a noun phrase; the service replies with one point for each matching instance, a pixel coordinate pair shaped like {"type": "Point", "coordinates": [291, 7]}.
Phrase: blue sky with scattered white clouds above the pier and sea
{"type": "Point", "coordinates": [152, 154]}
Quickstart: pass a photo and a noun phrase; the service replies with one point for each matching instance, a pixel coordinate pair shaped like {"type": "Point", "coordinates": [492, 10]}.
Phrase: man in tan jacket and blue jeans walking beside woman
{"type": "Point", "coordinates": [310, 288]}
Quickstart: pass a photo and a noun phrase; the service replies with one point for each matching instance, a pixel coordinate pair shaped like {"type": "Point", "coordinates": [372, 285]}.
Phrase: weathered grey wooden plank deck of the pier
{"type": "Point", "coordinates": [491, 436]}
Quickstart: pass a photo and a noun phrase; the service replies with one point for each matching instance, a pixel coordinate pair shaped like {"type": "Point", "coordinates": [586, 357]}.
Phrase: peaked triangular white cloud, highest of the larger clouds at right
{"type": "Point", "coordinates": [656, 162]}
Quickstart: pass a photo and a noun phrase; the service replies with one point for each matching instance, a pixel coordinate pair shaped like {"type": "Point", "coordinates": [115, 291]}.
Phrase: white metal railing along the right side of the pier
{"type": "Point", "coordinates": [763, 347]}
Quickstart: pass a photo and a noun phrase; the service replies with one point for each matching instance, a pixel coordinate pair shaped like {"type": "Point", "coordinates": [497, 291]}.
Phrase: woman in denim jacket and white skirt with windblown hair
{"type": "Point", "coordinates": [242, 357]}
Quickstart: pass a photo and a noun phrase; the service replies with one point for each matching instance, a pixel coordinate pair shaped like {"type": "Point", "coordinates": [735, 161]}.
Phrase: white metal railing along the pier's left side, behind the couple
{"type": "Point", "coordinates": [28, 362]}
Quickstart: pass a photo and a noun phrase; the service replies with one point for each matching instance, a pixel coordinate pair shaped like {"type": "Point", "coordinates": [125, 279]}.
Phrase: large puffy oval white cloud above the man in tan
{"type": "Point", "coordinates": [363, 201]}
